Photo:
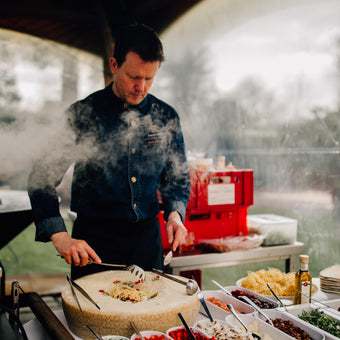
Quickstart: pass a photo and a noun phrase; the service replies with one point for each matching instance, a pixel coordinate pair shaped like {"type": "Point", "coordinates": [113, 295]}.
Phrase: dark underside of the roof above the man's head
{"type": "Point", "coordinates": [86, 24]}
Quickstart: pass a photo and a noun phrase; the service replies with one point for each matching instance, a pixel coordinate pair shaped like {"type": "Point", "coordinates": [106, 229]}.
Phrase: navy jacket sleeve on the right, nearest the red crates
{"type": "Point", "coordinates": [175, 180]}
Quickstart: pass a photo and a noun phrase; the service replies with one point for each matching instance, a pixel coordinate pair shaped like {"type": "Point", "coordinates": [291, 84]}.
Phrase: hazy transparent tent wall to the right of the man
{"type": "Point", "coordinates": [259, 84]}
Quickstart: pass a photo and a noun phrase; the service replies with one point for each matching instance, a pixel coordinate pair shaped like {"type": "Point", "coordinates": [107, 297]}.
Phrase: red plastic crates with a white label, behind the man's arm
{"type": "Point", "coordinates": [218, 204]}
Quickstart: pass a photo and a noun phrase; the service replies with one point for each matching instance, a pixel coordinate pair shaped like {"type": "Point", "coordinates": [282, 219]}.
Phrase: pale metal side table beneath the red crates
{"type": "Point", "coordinates": [236, 257]}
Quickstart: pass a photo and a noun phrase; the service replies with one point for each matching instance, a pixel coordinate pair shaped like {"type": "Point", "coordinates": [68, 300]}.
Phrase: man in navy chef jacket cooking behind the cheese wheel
{"type": "Point", "coordinates": [127, 147]}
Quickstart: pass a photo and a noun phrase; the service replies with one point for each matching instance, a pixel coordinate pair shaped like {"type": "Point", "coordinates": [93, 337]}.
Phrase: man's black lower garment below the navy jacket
{"type": "Point", "coordinates": [119, 242]}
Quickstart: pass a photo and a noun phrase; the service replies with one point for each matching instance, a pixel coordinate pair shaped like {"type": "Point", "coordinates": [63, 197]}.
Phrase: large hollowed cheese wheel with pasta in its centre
{"type": "Point", "coordinates": [158, 313]}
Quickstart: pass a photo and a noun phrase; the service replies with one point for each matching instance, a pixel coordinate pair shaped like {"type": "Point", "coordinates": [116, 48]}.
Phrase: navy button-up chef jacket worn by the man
{"type": "Point", "coordinates": [122, 154]}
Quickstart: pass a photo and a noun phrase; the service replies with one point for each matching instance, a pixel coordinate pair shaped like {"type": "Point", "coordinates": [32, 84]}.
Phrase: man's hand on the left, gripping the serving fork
{"type": "Point", "coordinates": [76, 252]}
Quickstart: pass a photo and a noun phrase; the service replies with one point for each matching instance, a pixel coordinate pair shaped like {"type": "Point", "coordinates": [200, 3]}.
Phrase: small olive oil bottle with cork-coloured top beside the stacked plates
{"type": "Point", "coordinates": [303, 282]}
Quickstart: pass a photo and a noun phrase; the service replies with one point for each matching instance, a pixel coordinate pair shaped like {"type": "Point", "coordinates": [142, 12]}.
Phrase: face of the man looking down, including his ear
{"type": "Point", "coordinates": [133, 78]}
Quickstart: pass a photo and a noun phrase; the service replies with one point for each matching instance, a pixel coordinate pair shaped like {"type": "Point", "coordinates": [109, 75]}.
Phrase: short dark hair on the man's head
{"type": "Point", "coordinates": [140, 39]}
